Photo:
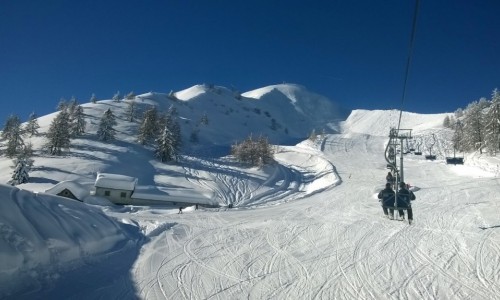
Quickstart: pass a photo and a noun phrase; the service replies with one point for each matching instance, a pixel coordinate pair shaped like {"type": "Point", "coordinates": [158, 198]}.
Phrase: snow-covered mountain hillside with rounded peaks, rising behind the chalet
{"type": "Point", "coordinates": [285, 114]}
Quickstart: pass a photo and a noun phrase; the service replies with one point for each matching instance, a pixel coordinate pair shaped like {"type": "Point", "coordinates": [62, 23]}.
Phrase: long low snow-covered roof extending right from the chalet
{"type": "Point", "coordinates": [170, 194]}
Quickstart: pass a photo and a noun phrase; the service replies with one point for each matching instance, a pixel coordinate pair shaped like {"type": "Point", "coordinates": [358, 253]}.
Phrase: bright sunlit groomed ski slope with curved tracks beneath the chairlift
{"type": "Point", "coordinates": [333, 244]}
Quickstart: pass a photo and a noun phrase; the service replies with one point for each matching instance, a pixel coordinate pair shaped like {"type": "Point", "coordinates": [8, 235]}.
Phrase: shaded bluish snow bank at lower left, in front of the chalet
{"type": "Point", "coordinates": [43, 235]}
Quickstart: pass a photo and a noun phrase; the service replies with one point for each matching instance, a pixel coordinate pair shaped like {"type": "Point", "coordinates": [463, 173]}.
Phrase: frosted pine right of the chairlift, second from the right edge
{"type": "Point", "coordinates": [473, 138]}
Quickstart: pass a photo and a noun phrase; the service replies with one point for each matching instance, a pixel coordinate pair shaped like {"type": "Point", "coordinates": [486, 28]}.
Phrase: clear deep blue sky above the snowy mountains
{"type": "Point", "coordinates": [352, 51]}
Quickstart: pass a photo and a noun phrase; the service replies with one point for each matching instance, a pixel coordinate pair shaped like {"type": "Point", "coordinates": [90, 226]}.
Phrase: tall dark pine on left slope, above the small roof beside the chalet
{"type": "Point", "coordinates": [58, 135]}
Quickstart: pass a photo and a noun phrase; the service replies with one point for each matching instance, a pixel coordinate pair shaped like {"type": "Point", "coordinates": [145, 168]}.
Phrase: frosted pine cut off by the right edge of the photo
{"type": "Point", "coordinates": [492, 127]}
